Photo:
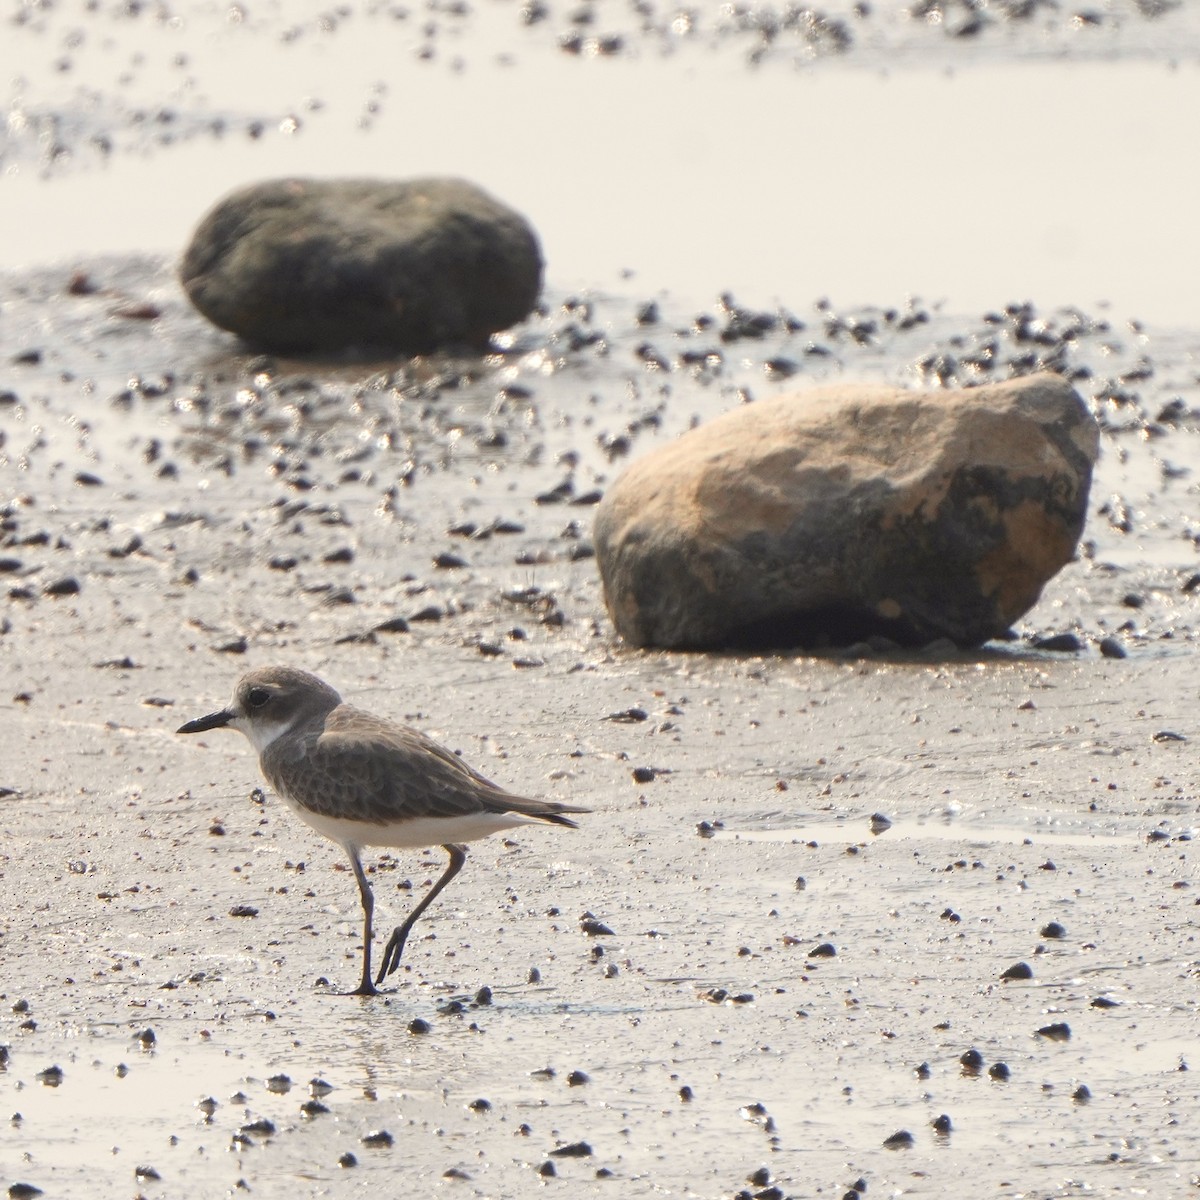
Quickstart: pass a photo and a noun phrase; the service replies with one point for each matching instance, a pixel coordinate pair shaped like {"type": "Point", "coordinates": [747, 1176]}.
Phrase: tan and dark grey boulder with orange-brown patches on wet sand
{"type": "Point", "coordinates": [835, 514]}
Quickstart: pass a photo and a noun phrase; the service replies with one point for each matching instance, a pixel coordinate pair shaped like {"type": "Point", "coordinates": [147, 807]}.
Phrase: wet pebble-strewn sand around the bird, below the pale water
{"type": "Point", "coordinates": [787, 986]}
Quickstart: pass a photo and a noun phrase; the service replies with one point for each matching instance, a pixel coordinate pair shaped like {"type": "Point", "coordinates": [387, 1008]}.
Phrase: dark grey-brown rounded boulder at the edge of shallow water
{"type": "Point", "coordinates": [321, 266]}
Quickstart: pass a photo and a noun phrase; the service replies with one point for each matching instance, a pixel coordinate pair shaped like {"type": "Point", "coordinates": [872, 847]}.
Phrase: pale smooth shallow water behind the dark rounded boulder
{"type": "Point", "coordinates": [868, 179]}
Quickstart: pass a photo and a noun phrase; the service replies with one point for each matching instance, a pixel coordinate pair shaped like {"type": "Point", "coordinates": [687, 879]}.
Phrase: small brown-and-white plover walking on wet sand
{"type": "Point", "coordinates": [363, 781]}
